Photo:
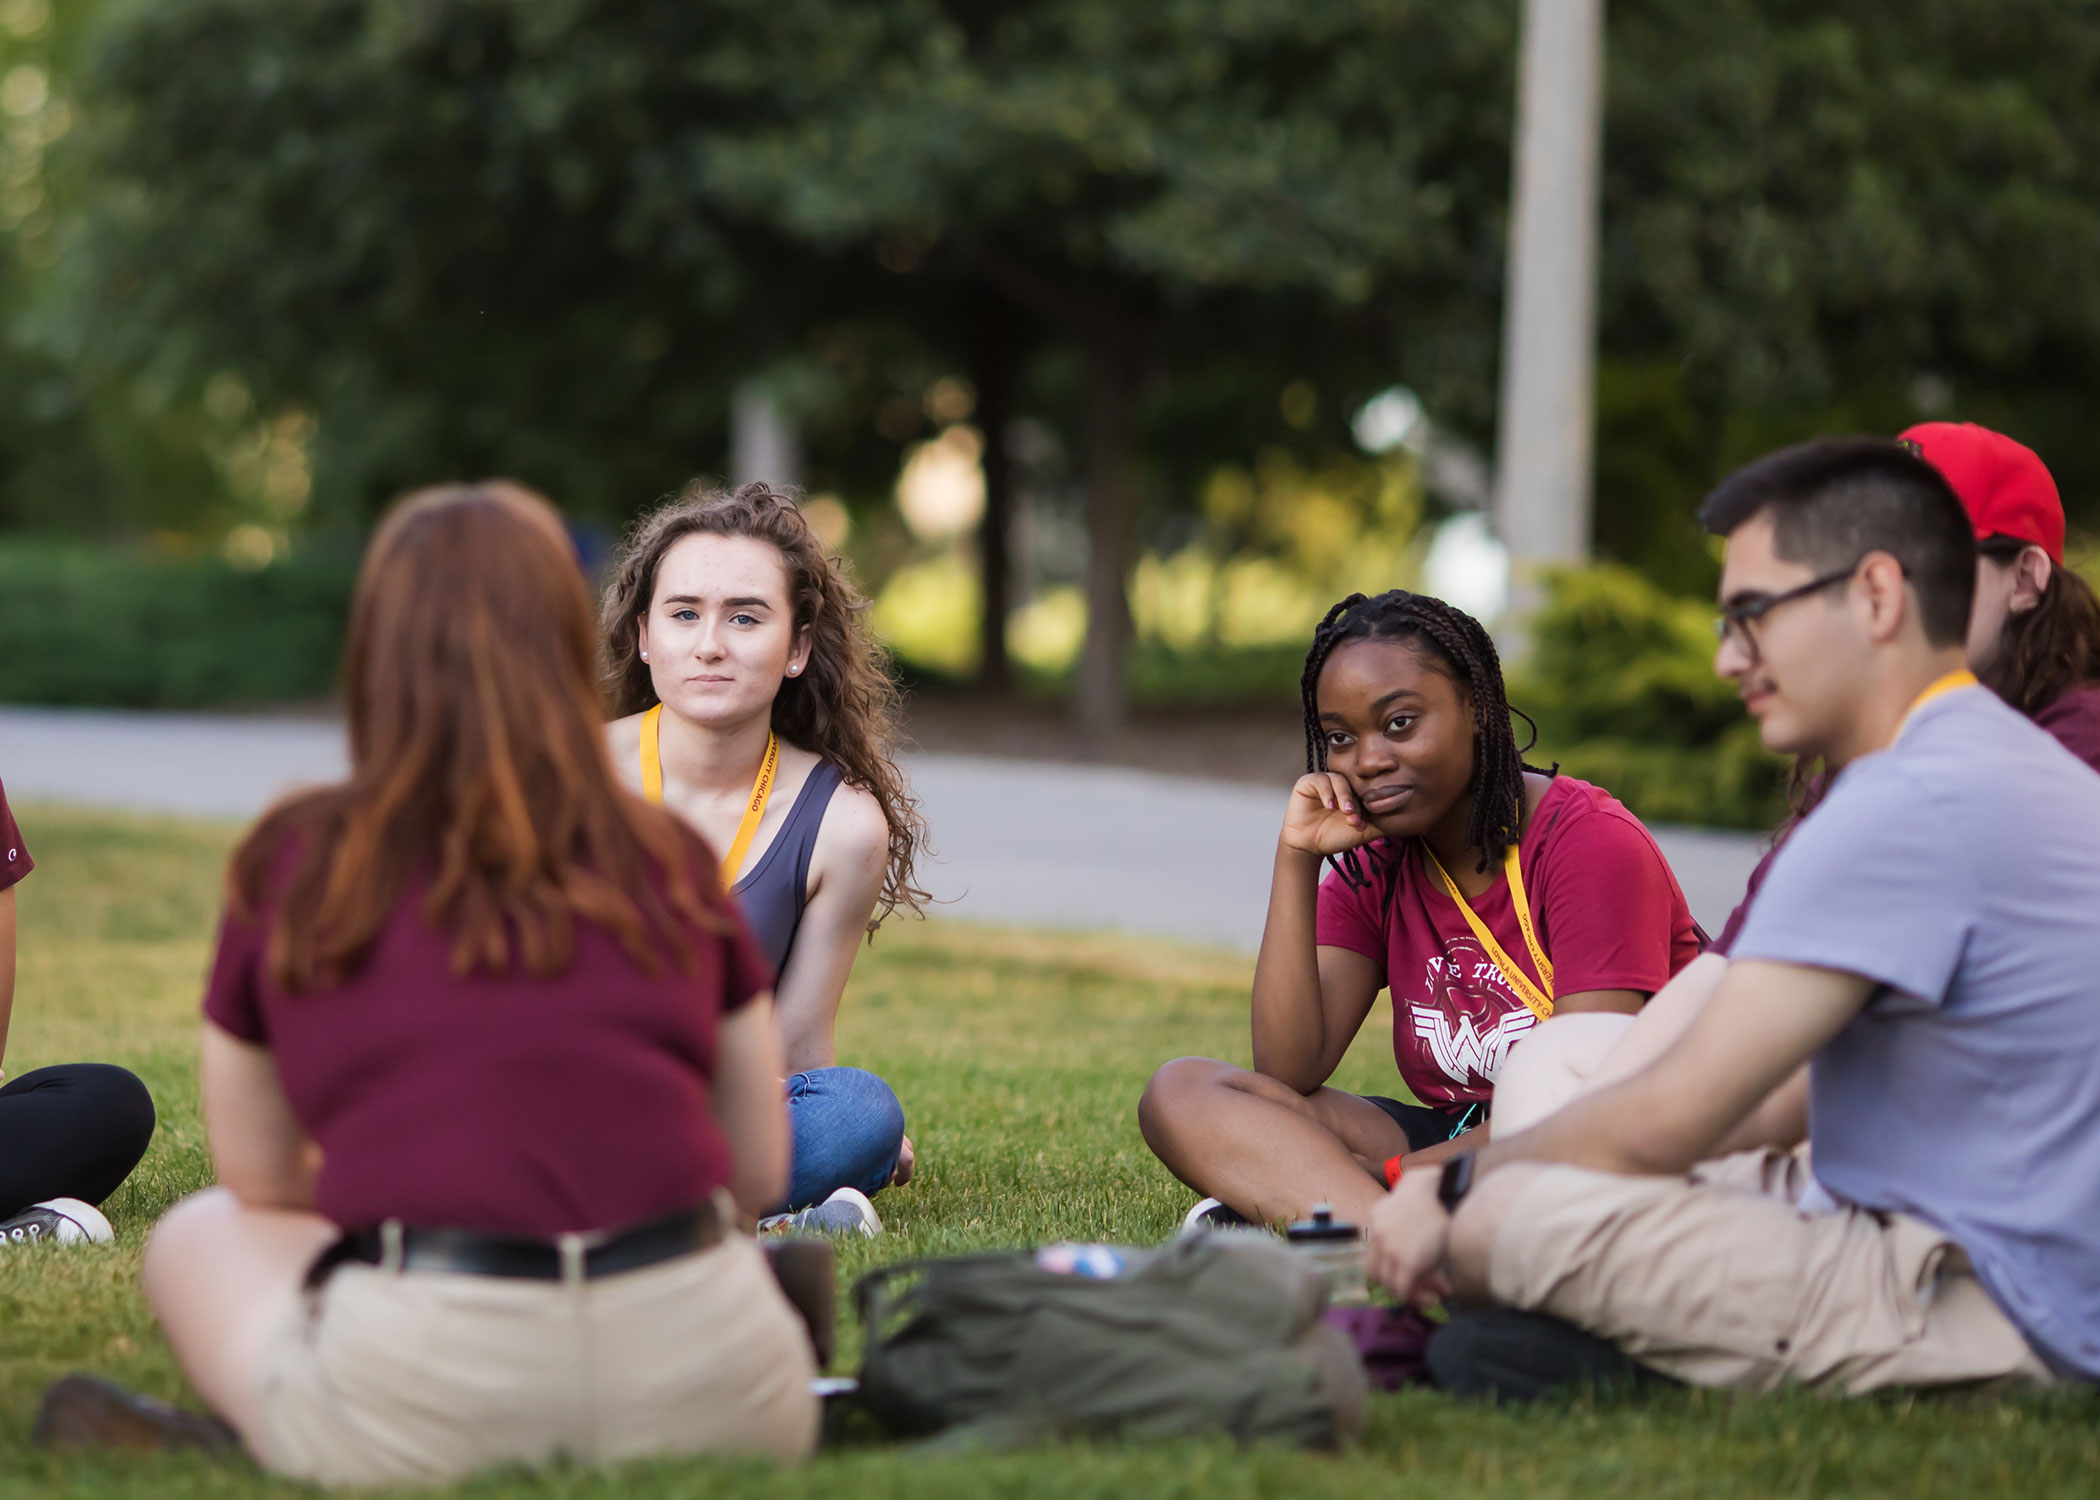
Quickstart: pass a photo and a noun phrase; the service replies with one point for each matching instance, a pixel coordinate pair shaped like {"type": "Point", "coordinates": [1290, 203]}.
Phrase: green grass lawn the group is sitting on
{"type": "Point", "coordinates": [1020, 1060]}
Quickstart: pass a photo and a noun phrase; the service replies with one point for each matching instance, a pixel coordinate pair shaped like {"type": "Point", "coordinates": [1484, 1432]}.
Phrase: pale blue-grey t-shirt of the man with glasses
{"type": "Point", "coordinates": [1960, 869]}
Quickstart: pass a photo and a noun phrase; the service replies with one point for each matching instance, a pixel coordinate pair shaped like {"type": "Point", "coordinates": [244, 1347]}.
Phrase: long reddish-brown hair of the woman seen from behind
{"type": "Point", "coordinates": [478, 770]}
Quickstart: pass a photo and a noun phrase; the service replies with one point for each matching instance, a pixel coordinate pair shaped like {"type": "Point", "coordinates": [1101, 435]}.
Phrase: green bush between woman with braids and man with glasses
{"type": "Point", "coordinates": [1622, 684]}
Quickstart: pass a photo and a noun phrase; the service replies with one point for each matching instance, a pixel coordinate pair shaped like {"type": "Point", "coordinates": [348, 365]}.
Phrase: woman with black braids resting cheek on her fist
{"type": "Point", "coordinates": [1482, 892]}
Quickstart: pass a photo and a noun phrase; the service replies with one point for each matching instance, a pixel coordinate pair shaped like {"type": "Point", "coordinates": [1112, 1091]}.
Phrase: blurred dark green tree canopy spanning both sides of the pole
{"type": "Point", "coordinates": [547, 236]}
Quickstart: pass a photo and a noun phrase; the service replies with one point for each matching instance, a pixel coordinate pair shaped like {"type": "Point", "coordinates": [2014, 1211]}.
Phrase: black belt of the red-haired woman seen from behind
{"type": "Point", "coordinates": [526, 1257]}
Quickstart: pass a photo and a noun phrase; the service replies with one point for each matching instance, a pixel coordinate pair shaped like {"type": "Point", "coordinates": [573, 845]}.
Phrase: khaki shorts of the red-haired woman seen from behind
{"type": "Point", "coordinates": [387, 1379]}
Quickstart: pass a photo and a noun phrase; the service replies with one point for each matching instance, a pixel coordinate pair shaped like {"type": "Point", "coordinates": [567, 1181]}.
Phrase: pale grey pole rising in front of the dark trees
{"type": "Point", "coordinates": [1549, 318]}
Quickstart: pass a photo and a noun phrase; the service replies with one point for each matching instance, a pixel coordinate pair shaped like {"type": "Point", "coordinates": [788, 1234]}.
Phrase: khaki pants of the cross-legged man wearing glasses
{"type": "Point", "coordinates": [1721, 1283]}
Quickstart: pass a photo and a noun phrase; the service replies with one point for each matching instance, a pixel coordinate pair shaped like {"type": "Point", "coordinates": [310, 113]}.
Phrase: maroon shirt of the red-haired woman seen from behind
{"type": "Point", "coordinates": [501, 1104]}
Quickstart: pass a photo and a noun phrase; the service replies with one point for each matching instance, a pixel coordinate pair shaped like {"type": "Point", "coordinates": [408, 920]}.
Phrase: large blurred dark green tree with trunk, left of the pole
{"type": "Point", "coordinates": [549, 234]}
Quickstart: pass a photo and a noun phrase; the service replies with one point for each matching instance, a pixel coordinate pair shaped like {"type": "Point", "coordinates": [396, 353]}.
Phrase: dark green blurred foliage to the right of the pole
{"type": "Point", "coordinates": [1841, 217]}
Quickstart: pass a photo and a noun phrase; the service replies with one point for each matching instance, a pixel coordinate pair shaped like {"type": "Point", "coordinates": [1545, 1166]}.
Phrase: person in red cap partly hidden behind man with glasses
{"type": "Point", "coordinates": [2036, 627]}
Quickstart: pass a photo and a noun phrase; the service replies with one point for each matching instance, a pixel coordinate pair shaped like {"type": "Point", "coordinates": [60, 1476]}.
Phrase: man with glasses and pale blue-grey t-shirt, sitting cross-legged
{"type": "Point", "coordinates": [1925, 944]}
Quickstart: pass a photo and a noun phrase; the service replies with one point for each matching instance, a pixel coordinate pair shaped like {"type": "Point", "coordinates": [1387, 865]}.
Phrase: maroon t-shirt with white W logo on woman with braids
{"type": "Point", "coordinates": [1605, 907]}
